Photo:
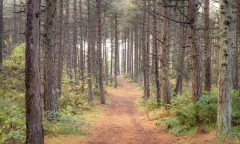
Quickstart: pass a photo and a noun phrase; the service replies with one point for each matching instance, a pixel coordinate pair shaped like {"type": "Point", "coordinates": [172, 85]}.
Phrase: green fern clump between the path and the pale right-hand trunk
{"type": "Point", "coordinates": [189, 115]}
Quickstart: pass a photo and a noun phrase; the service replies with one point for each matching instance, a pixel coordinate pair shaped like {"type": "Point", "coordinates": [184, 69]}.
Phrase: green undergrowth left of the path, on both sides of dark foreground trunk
{"type": "Point", "coordinates": [72, 103]}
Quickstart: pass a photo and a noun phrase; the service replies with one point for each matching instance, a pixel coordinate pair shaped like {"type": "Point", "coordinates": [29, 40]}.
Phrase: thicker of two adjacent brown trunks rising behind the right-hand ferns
{"type": "Point", "coordinates": [195, 53]}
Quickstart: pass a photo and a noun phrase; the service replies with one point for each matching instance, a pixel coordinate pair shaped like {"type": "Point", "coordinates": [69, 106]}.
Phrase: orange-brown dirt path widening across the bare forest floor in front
{"type": "Point", "coordinates": [122, 123]}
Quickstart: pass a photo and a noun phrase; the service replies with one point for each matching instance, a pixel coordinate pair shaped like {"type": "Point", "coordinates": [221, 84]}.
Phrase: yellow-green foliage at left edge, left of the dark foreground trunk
{"type": "Point", "coordinates": [12, 93]}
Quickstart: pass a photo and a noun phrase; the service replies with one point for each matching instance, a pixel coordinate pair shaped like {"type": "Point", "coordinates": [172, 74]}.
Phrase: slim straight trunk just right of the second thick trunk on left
{"type": "Point", "coordinates": [60, 51]}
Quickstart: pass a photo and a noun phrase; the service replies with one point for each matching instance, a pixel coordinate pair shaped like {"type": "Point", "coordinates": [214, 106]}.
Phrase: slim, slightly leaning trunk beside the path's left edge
{"type": "Point", "coordinates": [99, 40]}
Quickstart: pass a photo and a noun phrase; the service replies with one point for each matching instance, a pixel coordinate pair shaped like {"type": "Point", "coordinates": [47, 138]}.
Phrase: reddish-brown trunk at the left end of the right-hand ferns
{"type": "Point", "coordinates": [166, 93]}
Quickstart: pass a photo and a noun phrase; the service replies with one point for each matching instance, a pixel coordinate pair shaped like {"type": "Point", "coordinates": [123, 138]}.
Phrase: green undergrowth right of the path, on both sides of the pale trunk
{"type": "Point", "coordinates": [200, 116]}
